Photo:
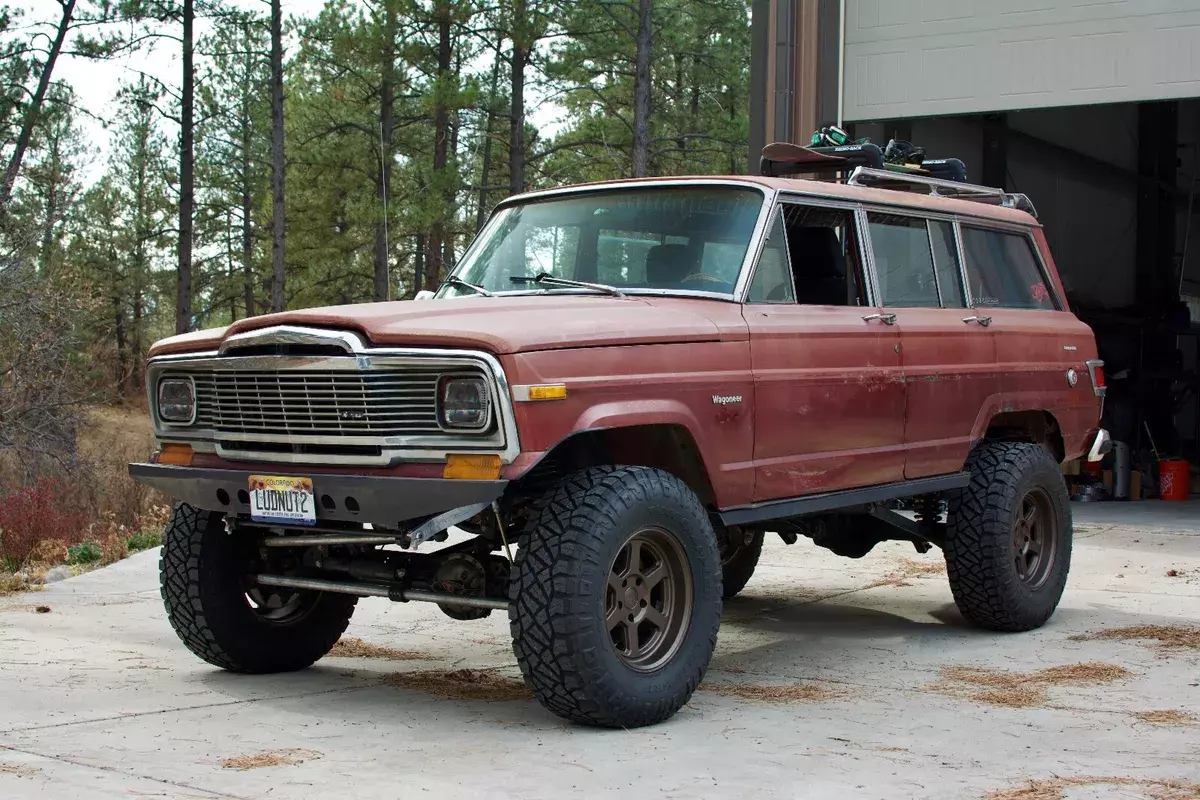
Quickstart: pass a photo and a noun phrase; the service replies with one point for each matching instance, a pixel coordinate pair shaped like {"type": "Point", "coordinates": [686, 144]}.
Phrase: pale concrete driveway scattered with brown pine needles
{"type": "Point", "coordinates": [832, 679]}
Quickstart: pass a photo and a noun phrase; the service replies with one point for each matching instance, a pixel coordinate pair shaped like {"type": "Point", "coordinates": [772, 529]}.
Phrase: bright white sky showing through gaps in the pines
{"type": "Point", "coordinates": [97, 83]}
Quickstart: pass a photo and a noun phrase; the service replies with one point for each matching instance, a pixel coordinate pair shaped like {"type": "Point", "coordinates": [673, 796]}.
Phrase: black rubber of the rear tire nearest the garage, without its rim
{"type": "Point", "coordinates": [980, 551]}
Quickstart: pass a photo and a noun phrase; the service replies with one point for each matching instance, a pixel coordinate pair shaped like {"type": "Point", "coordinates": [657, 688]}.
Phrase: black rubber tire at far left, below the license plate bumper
{"type": "Point", "coordinates": [201, 575]}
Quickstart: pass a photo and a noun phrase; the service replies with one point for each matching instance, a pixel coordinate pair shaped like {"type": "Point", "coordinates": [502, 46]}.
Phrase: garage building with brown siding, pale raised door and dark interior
{"type": "Point", "coordinates": [1089, 107]}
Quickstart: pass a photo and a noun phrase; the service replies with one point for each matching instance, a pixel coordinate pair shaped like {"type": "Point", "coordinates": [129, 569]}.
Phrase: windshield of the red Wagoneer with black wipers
{"type": "Point", "coordinates": [677, 239]}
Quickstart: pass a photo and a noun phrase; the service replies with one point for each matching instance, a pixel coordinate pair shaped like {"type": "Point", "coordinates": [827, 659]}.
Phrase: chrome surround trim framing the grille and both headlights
{"type": "Point", "coordinates": [361, 358]}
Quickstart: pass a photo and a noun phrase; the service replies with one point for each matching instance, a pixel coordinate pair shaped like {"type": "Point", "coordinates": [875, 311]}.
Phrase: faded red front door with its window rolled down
{"type": "Point", "coordinates": [830, 396]}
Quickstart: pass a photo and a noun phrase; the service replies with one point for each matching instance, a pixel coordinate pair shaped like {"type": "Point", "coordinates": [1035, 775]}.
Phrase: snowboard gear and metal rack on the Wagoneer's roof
{"type": "Point", "coordinates": [867, 166]}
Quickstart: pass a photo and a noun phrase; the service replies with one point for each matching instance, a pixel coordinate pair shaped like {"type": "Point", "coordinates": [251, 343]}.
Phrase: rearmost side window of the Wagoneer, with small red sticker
{"type": "Point", "coordinates": [1004, 270]}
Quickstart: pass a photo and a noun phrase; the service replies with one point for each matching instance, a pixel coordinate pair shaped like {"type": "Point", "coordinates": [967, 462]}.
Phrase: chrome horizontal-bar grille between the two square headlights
{"type": "Point", "coordinates": [319, 404]}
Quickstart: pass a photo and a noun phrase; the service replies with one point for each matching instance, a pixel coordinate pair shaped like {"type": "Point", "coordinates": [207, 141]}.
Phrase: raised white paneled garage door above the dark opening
{"type": "Point", "coordinates": [927, 58]}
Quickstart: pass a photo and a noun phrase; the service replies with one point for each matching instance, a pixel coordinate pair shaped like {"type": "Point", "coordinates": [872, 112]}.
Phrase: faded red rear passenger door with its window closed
{"type": "Point", "coordinates": [947, 356]}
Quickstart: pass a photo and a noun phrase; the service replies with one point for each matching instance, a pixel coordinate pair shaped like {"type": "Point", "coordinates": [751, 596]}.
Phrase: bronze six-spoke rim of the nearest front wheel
{"type": "Point", "coordinates": [649, 599]}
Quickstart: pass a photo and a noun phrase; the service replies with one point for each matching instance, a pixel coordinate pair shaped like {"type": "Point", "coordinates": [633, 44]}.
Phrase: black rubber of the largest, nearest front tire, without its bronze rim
{"type": "Point", "coordinates": [557, 597]}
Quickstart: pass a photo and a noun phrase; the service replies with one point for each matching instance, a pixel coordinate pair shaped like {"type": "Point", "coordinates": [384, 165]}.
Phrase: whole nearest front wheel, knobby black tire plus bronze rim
{"type": "Point", "coordinates": [617, 598]}
